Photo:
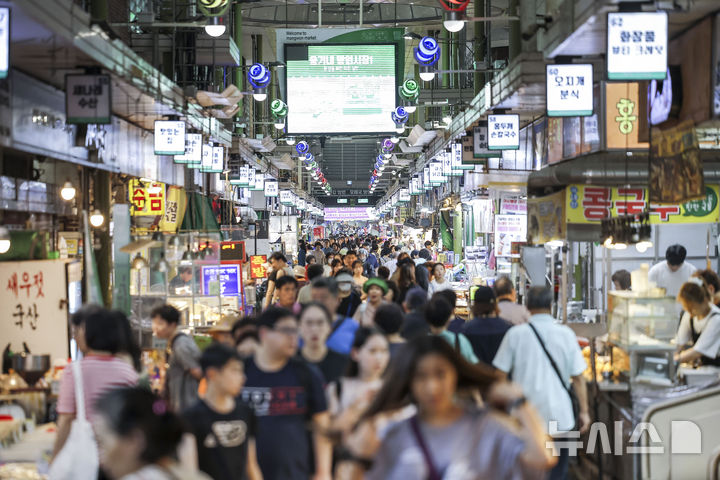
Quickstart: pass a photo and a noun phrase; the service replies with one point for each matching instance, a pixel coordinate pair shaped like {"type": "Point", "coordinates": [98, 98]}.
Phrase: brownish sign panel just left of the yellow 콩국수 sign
{"type": "Point", "coordinates": [546, 218]}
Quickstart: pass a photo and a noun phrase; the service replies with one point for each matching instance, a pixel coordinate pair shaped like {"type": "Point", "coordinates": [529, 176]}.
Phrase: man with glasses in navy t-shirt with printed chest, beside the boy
{"type": "Point", "coordinates": [289, 402]}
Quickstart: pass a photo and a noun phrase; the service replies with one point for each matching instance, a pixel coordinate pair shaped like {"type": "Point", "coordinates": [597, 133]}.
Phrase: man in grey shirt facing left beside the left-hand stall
{"type": "Point", "coordinates": [183, 373]}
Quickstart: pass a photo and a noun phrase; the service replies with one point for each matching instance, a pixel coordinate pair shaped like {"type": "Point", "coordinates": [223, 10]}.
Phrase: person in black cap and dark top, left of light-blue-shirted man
{"type": "Point", "coordinates": [486, 330]}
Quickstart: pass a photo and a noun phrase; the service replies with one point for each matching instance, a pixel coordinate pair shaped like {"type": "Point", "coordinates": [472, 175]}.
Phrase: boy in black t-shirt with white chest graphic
{"type": "Point", "coordinates": [223, 427]}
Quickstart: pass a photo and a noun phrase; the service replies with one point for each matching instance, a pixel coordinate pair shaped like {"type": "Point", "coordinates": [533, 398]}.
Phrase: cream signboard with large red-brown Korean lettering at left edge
{"type": "Point", "coordinates": [34, 294]}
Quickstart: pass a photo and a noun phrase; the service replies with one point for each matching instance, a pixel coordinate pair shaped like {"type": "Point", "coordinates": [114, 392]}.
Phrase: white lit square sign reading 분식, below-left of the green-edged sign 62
{"type": "Point", "coordinates": [569, 90]}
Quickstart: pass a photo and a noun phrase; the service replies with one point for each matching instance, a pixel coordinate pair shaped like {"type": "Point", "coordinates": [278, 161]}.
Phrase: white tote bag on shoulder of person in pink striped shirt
{"type": "Point", "coordinates": [78, 459]}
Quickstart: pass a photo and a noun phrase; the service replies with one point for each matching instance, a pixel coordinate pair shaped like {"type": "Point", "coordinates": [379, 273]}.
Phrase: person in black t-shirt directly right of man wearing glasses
{"type": "Point", "coordinates": [315, 326]}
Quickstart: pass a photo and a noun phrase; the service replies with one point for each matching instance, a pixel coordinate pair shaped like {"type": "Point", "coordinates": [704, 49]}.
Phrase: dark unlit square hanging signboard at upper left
{"type": "Point", "coordinates": [87, 97]}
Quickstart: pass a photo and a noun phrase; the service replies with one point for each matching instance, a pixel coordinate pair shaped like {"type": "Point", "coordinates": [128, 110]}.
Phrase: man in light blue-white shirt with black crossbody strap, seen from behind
{"type": "Point", "coordinates": [522, 355]}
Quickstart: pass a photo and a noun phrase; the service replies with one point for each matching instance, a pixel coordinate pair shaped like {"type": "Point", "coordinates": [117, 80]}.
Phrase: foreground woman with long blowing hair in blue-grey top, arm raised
{"type": "Point", "coordinates": [450, 437]}
